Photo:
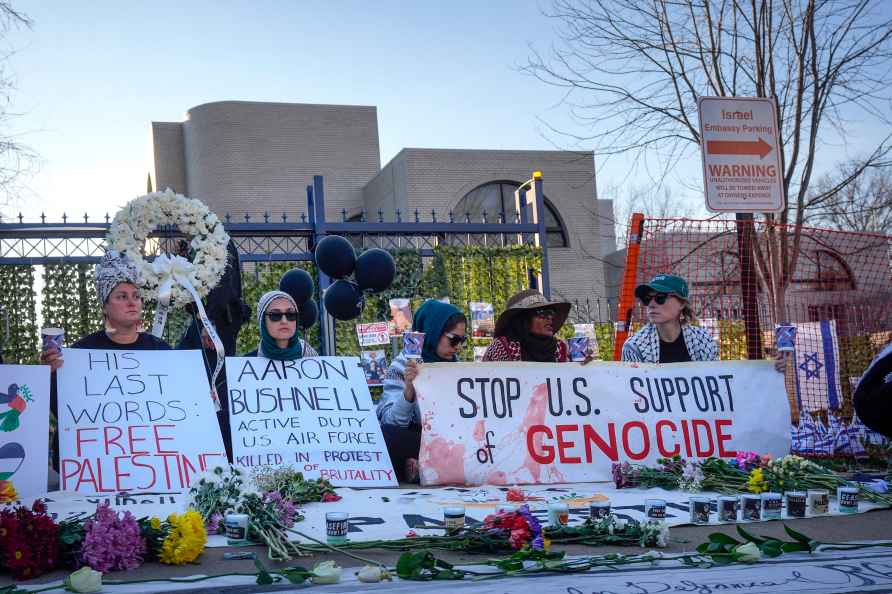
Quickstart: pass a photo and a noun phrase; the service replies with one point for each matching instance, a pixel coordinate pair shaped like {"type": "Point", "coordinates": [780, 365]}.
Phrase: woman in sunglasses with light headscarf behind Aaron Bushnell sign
{"type": "Point", "coordinates": [277, 318]}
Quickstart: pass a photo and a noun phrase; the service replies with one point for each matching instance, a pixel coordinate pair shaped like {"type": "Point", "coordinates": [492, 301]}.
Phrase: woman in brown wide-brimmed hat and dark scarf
{"type": "Point", "coordinates": [526, 330]}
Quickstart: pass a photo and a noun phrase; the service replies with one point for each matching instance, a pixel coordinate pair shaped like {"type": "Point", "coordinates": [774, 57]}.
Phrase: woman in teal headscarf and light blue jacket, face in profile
{"type": "Point", "coordinates": [445, 330]}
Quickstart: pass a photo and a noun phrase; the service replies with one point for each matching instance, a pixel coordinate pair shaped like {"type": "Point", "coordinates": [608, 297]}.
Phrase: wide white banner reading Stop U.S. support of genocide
{"type": "Point", "coordinates": [513, 423]}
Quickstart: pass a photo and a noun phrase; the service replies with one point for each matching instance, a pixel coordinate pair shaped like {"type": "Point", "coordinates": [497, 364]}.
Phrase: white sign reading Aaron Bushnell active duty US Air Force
{"type": "Point", "coordinates": [313, 414]}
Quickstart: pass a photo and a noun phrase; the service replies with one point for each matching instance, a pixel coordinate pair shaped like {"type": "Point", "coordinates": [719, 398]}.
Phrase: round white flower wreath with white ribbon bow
{"type": "Point", "coordinates": [133, 223]}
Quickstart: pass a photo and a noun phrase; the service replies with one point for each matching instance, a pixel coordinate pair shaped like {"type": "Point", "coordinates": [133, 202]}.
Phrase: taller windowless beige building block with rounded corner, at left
{"type": "Point", "coordinates": [253, 157]}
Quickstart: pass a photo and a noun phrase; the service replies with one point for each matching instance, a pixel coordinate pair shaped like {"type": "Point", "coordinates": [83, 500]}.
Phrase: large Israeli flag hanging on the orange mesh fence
{"type": "Point", "coordinates": [817, 366]}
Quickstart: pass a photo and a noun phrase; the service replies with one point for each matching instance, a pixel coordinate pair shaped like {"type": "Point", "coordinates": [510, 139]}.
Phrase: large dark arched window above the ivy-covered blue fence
{"type": "Point", "coordinates": [495, 198]}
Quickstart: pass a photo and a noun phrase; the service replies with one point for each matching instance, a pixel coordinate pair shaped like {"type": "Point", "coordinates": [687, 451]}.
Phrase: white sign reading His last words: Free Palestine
{"type": "Point", "coordinates": [135, 421]}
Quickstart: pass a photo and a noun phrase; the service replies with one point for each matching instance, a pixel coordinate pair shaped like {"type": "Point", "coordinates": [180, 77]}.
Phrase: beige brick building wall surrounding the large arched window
{"type": "Point", "coordinates": [439, 178]}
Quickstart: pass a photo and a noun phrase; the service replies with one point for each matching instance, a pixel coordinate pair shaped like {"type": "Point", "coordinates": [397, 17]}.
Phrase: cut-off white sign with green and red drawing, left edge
{"type": "Point", "coordinates": [24, 427]}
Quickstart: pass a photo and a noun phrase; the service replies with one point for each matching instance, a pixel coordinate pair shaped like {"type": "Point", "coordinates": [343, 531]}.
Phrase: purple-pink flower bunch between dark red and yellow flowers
{"type": "Point", "coordinates": [112, 542]}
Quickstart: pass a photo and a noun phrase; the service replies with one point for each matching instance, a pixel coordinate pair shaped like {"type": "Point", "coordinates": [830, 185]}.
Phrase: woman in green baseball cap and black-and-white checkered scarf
{"type": "Point", "coordinates": [668, 336]}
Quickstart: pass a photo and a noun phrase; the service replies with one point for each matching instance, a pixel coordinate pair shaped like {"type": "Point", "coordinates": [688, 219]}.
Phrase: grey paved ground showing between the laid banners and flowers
{"type": "Point", "coordinates": [875, 525]}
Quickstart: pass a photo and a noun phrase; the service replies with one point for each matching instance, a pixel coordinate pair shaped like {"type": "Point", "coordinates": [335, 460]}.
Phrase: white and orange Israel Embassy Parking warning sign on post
{"type": "Point", "coordinates": [741, 155]}
